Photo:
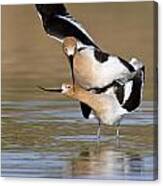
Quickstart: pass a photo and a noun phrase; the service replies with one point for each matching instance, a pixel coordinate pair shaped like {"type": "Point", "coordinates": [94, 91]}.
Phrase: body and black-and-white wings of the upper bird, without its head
{"type": "Point", "coordinates": [98, 70]}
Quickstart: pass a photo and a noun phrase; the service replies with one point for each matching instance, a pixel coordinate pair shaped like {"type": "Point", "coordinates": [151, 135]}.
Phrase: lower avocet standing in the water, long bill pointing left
{"type": "Point", "coordinates": [115, 100]}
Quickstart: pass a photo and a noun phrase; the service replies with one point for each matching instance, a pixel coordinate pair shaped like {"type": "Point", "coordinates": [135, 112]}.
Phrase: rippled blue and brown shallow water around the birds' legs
{"type": "Point", "coordinates": [51, 139]}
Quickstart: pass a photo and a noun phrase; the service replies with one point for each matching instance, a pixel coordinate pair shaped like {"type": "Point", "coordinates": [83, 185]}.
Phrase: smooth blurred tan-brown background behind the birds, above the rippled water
{"type": "Point", "coordinates": [31, 58]}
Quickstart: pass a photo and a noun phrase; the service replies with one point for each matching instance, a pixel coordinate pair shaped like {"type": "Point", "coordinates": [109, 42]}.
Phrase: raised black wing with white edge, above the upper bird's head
{"type": "Point", "coordinates": [59, 24]}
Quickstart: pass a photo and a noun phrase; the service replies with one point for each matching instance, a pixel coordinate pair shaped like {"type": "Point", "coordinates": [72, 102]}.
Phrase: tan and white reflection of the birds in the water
{"type": "Point", "coordinates": [108, 164]}
